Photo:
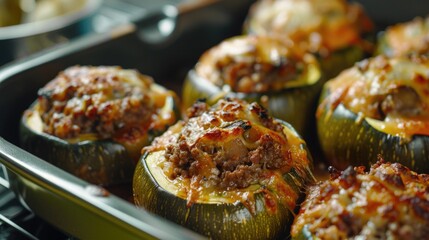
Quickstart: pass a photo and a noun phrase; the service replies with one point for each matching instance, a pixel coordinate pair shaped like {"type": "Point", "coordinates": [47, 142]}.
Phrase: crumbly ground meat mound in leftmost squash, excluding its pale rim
{"type": "Point", "coordinates": [105, 101]}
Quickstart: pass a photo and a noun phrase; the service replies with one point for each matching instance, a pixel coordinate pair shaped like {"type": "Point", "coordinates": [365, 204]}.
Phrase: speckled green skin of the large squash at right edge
{"type": "Point", "coordinates": [346, 141]}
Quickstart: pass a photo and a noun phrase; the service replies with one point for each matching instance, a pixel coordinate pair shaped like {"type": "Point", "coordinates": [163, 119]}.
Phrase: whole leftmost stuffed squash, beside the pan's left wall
{"type": "Point", "coordinates": [93, 121]}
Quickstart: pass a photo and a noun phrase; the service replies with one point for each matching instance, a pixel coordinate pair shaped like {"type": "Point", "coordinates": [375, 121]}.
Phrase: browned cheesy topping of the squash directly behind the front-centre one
{"type": "Point", "coordinates": [257, 64]}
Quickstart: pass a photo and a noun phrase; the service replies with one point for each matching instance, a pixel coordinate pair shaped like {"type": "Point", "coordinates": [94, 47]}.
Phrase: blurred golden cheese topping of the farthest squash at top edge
{"type": "Point", "coordinates": [314, 25]}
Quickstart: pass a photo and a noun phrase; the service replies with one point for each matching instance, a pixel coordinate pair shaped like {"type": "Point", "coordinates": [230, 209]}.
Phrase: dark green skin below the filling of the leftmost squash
{"type": "Point", "coordinates": [101, 162]}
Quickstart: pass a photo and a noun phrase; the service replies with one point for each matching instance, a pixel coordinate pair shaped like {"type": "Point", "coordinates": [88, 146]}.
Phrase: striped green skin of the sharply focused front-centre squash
{"type": "Point", "coordinates": [220, 221]}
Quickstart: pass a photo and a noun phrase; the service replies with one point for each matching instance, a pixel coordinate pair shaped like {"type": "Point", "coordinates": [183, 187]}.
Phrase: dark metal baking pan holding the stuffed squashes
{"type": "Point", "coordinates": [164, 44]}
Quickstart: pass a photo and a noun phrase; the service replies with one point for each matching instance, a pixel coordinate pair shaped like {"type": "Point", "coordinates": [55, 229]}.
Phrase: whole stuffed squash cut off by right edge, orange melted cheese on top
{"type": "Point", "coordinates": [380, 106]}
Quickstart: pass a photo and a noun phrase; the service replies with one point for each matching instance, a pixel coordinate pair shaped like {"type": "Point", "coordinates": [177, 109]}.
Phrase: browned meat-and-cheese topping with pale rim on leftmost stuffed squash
{"type": "Point", "coordinates": [90, 103]}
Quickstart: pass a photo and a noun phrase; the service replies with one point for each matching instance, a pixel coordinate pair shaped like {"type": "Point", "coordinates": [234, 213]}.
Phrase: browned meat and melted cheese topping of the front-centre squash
{"type": "Point", "coordinates": [227, 154]}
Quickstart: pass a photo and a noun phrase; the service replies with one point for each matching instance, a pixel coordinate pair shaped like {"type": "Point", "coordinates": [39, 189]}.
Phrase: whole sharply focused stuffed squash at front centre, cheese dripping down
{"type": "Point", "coordinates": [228, 172]}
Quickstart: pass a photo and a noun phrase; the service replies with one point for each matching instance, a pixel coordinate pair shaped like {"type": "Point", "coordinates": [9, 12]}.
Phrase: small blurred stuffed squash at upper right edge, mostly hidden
{"type": "Point", "coordinates": [405, 38]}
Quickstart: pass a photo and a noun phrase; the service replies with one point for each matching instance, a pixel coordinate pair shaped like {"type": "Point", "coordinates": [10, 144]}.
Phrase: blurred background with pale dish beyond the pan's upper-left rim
{"type": "Point", "coordinates": [28, 26]}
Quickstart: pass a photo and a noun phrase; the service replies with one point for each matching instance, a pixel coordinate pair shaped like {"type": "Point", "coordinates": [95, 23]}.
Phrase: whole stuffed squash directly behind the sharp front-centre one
{"type": "Point", "coordinates": [262, 69]}
